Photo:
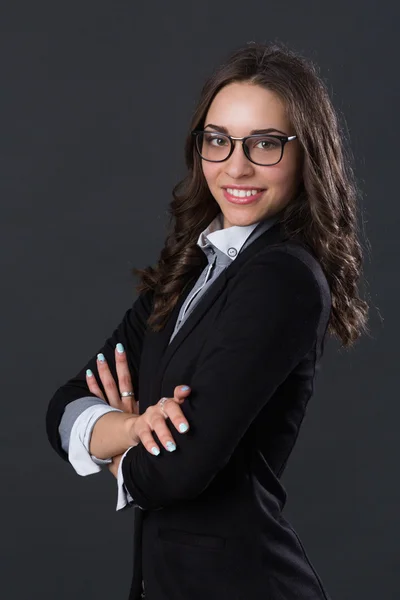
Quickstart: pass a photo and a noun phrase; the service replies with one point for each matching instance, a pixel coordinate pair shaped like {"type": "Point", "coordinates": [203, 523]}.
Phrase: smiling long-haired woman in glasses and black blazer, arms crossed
{"type": "Point", "coordinates": [263, 260]}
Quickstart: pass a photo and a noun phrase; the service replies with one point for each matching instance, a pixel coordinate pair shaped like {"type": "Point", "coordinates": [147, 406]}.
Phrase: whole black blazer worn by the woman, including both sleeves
{"type": "Point", "coordinates": [212, 525]}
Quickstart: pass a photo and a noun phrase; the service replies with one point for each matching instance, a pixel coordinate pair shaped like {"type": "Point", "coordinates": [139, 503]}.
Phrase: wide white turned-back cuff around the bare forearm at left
{"type": "Point", "coordinates": [78, 451]}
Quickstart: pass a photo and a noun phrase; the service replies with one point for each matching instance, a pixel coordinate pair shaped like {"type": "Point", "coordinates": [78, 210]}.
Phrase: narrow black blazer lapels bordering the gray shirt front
{"type": "Point", "coordinates": [161, 346]}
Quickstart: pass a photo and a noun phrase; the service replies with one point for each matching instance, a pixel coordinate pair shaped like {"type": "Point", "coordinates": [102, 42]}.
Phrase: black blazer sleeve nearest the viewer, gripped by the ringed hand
{"type": "Point", "coordinates": [268, 324]}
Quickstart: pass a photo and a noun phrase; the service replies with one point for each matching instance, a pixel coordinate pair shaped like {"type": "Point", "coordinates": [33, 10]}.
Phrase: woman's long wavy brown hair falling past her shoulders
{"type": "Point", "coordinates": [323, 215]}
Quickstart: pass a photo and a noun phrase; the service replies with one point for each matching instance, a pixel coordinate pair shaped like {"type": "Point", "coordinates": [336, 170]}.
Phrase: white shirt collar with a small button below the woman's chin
{"type": "Point", "coordinates": [230, 240]}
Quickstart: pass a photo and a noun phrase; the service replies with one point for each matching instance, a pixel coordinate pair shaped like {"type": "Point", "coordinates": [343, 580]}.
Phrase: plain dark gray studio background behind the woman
{"type": "Point", "coordinates": [86, 178]}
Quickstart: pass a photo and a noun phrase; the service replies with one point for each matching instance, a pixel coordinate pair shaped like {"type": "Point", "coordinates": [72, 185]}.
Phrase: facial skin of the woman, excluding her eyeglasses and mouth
{"type": "Point", "coordinates": [240, 108]}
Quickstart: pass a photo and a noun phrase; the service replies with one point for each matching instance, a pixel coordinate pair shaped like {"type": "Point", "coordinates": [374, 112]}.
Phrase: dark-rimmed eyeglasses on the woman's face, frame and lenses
{"type": "Point", "coordinates": [260, 149]}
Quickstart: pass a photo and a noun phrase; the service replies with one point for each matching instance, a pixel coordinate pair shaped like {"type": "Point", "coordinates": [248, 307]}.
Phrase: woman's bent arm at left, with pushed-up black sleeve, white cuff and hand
{"type": "Point", "coordinates": [90, 408]}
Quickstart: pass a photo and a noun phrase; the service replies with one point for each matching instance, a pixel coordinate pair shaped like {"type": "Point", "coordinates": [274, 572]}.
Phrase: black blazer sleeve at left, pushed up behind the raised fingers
{"type": "Point", "coordinates": [130, 332]}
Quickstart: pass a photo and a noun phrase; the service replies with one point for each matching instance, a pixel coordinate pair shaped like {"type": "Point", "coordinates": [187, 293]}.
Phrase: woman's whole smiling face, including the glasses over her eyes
{"type": "Point", "coordinates": [262, 162]}
